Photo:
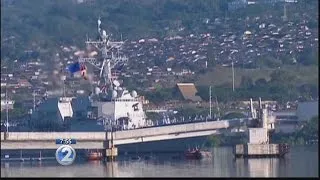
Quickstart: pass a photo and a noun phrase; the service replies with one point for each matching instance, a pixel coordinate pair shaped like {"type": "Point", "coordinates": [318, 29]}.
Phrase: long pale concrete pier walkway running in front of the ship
{"type": "Point", "coordinates": [102, 140]}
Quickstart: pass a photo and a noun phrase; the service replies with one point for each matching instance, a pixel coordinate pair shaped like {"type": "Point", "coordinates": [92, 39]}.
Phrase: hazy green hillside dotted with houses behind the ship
{"type": "Point", "coordinates": [270, 53]}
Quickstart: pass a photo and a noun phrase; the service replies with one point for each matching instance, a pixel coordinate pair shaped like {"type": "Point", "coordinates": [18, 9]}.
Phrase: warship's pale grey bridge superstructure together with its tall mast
{"type": "Point", "coordinates": [113, 104]}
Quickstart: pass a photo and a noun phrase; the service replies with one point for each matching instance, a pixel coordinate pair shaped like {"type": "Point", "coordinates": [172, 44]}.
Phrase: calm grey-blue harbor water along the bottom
{"type": "Point", "coordinates": [302, 161]}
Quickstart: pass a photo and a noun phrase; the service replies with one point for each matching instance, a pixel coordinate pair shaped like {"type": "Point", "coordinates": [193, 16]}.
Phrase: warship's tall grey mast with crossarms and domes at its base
{"type": "Point", "coordinates": [106, 89]}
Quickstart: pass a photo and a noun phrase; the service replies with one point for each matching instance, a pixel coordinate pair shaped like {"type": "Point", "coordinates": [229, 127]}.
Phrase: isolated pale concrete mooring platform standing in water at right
{"type": "Point", "coordinates": [259, 144]}
